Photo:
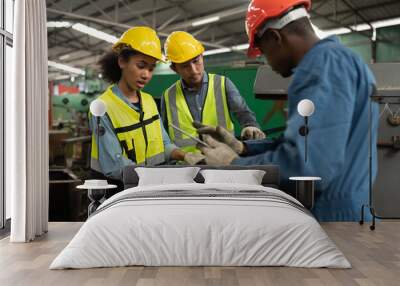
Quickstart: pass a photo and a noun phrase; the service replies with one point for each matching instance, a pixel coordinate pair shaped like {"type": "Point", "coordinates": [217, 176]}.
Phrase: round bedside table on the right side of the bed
{"type": "Point", "coordinates": [305, 190]}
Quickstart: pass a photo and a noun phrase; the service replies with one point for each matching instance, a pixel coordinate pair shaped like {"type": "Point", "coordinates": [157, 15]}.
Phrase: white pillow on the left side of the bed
{"type": "Point", "coordinates": [166, 176]}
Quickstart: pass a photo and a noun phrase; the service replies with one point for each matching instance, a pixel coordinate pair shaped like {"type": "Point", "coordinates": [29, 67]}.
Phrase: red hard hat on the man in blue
{"type": "Point", "coordinates": [260, 11]}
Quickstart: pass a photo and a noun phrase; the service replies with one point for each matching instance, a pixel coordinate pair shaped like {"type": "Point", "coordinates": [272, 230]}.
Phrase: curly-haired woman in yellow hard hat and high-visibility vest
{"type": "Point", "coordinates": [134, 133]}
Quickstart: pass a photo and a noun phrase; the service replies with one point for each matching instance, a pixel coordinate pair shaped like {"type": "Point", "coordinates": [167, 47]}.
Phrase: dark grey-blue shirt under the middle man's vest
{"type": "Point", "coordinates": [195, 99]}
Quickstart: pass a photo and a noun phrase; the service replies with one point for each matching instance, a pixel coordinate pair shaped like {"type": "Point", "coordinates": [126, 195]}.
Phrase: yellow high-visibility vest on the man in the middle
{"type": "Point", "coordinates": [214, 112]}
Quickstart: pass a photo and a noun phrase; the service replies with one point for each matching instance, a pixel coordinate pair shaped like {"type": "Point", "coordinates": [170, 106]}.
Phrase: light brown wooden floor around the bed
{"type": "Point", "coordinates": [375, 256]}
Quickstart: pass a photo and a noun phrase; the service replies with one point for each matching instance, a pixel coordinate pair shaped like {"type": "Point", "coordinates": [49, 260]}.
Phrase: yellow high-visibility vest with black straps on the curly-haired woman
{"type": "Point", "coordinates": [139, 133]}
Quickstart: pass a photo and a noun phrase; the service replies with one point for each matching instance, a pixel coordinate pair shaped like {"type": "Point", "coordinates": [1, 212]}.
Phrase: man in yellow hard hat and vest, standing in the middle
{"type": "Point", "coordinates": [200, 97]}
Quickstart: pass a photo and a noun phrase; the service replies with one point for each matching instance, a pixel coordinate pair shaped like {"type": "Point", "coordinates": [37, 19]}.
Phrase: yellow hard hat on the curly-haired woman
{"type": "Point", "coordinates": [143, 40]}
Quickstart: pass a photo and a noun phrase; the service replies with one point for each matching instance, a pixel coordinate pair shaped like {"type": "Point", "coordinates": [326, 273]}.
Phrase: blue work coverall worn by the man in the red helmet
{"type": "Point", "coordinates": [340, 84]}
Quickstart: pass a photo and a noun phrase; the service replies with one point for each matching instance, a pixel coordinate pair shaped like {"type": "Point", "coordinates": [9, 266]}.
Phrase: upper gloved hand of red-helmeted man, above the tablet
{"type": "Point", "coordinates": [220, 134]}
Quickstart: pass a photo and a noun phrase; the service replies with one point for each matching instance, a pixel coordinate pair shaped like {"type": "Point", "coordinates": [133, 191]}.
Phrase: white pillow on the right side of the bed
{"type": "Point", "coordinates": [247, 177]}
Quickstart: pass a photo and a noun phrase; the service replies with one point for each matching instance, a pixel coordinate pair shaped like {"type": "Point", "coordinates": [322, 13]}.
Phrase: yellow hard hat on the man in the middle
{"type": "Point", "coordinates": [181, 47]}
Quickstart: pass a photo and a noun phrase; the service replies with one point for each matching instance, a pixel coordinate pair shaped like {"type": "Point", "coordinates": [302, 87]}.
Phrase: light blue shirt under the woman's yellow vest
{"type": "Point", "coordinates": [110, 153]}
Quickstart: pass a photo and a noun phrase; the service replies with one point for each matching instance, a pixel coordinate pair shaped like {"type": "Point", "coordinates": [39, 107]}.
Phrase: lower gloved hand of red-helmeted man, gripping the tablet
{"type": "Point", "coordinates": [218, 154]}
